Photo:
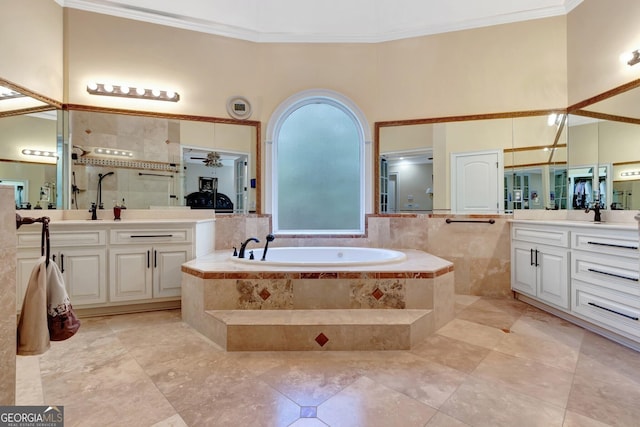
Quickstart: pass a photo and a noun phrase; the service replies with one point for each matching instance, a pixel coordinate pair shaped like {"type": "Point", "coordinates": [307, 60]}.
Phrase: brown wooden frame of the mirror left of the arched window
{"type": "Point", "coordinates": [207, 119]}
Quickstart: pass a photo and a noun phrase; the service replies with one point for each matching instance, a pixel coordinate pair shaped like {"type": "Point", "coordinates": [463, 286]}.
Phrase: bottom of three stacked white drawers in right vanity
{"type": "Point", "coordinates": [611, 309]}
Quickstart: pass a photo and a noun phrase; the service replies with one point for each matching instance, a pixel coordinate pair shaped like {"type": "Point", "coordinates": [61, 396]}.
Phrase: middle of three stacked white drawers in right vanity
{"type": "Point", "coordinates": [617, 273]}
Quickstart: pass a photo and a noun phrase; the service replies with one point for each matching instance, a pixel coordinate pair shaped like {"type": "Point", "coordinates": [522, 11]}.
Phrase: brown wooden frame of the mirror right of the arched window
{"type": "Point", "coordinates": [445, 119]}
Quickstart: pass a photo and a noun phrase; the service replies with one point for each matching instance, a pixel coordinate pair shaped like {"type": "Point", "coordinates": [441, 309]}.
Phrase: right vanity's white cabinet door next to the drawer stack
{"type": "Point", "coordinates": [553, 276]}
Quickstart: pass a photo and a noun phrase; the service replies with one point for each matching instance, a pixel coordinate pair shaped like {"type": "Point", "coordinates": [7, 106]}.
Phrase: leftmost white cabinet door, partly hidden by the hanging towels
{"type": "Point", "coordinates": [84, 272]}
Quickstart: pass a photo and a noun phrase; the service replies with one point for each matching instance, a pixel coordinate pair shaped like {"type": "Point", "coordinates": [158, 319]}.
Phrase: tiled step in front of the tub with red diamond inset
{"type": "Point", "coordinates": [352, 329]}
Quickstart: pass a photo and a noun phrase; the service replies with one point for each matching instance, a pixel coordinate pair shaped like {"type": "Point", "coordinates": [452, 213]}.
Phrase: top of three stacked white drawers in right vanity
{"type": "Point", "coordinates": [612, 242]}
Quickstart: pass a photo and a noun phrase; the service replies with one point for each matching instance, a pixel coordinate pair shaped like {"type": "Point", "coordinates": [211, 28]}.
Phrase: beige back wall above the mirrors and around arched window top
{"type": "Point", "coordinates": [502, 68]}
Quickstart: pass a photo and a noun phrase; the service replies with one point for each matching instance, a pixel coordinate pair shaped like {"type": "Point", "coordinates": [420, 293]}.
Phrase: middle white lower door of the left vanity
{"type": "Point", "coordinates": [130, 273]}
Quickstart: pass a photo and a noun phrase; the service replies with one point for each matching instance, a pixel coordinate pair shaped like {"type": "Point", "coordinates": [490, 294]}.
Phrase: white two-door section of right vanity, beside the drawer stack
{"type": "Point", "coordinates": [539, 264]}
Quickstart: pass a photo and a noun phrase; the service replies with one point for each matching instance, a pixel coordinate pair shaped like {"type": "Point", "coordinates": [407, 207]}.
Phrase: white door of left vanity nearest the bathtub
{"type": "Point", "coordinates": [167, 269]}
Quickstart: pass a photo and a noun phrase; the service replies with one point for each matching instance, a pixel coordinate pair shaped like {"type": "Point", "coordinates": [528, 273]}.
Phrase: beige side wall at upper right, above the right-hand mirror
{"type": "Point", "coordinates": [598, 32]}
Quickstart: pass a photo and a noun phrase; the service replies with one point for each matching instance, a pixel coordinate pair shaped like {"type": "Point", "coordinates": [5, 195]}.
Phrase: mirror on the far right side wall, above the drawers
{"type": "Point", "coordinates": [604, 135]}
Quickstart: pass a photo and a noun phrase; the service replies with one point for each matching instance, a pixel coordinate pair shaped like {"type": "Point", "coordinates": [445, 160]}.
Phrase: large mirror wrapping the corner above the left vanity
{"type": "Point", "coordinates": [71, 158]}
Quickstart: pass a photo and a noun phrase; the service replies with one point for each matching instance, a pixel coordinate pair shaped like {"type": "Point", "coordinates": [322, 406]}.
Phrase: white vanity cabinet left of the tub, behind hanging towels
{"type": "Point", "coordinates": [107, 265]}
